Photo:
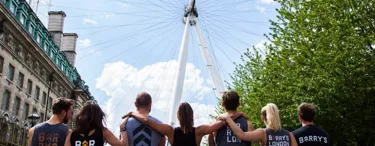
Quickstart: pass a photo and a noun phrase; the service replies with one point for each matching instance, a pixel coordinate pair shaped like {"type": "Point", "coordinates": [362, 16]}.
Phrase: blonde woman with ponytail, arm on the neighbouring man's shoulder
{"type": "Point", "coordinates": [272, 135]}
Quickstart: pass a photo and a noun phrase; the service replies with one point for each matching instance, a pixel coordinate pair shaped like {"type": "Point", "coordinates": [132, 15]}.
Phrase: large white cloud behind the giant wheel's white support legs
{"type": "Point", "coordinates": [122, 82]}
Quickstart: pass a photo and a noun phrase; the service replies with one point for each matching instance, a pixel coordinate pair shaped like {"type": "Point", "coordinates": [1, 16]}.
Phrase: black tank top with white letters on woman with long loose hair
{"type": "Point", "coordinates": [95, 139]}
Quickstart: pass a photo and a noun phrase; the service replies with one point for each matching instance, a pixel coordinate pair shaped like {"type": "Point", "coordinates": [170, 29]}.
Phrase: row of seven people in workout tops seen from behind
{"type": "Point", "coordinates": [232, 128]}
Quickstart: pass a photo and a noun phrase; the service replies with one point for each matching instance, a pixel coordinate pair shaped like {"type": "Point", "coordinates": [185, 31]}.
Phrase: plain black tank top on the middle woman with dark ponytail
{"type": "Point", "coordinates": [182, 139]}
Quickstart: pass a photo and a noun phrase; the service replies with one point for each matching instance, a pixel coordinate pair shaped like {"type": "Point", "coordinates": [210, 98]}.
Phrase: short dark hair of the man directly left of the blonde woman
{"type": "Point", "coordinates": [231, 100]}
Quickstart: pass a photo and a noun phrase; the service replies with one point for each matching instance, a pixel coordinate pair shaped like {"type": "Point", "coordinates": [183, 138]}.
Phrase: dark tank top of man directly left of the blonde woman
{"type": "Point", "coordinates": [226, 137]}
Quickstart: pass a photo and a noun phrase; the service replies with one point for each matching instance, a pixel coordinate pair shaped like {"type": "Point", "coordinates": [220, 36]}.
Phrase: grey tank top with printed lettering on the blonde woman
{"type": "Point", "coordinates": [279, 138]}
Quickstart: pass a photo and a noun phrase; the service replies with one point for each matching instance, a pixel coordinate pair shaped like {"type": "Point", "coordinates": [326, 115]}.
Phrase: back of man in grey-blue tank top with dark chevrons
{"type": "Point", "coordinates": [142, 135]}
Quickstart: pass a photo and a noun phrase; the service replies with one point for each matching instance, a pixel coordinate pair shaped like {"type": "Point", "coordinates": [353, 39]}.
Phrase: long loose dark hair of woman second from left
{"type": "Point", "coordinates": [90, 117]}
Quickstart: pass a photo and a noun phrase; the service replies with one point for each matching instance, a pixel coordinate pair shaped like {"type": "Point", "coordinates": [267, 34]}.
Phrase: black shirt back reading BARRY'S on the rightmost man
{"type": "Point", "coordinates": [311, 135]}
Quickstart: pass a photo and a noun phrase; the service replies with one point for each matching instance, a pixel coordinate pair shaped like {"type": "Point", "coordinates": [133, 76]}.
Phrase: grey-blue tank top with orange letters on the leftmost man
{"type": "Point", "coordinates": [49, 135]}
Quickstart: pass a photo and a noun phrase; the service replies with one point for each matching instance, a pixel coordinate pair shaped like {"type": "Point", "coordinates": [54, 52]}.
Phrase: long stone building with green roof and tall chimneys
{"type": "Point", "coordinates": [36, 68]}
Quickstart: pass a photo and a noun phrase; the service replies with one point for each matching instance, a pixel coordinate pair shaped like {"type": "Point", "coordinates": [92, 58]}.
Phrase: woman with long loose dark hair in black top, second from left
{"type": "Point", "coordinates": [90, 128]}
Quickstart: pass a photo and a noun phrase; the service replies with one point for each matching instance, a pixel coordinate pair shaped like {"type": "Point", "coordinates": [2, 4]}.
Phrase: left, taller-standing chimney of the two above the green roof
{"type": "Point", "coordinates": [56, 26]}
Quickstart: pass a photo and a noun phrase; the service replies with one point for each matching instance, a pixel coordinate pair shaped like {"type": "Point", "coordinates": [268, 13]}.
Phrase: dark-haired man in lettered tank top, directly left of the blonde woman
{"type": "Point", "coordinates": [225, 136]}
